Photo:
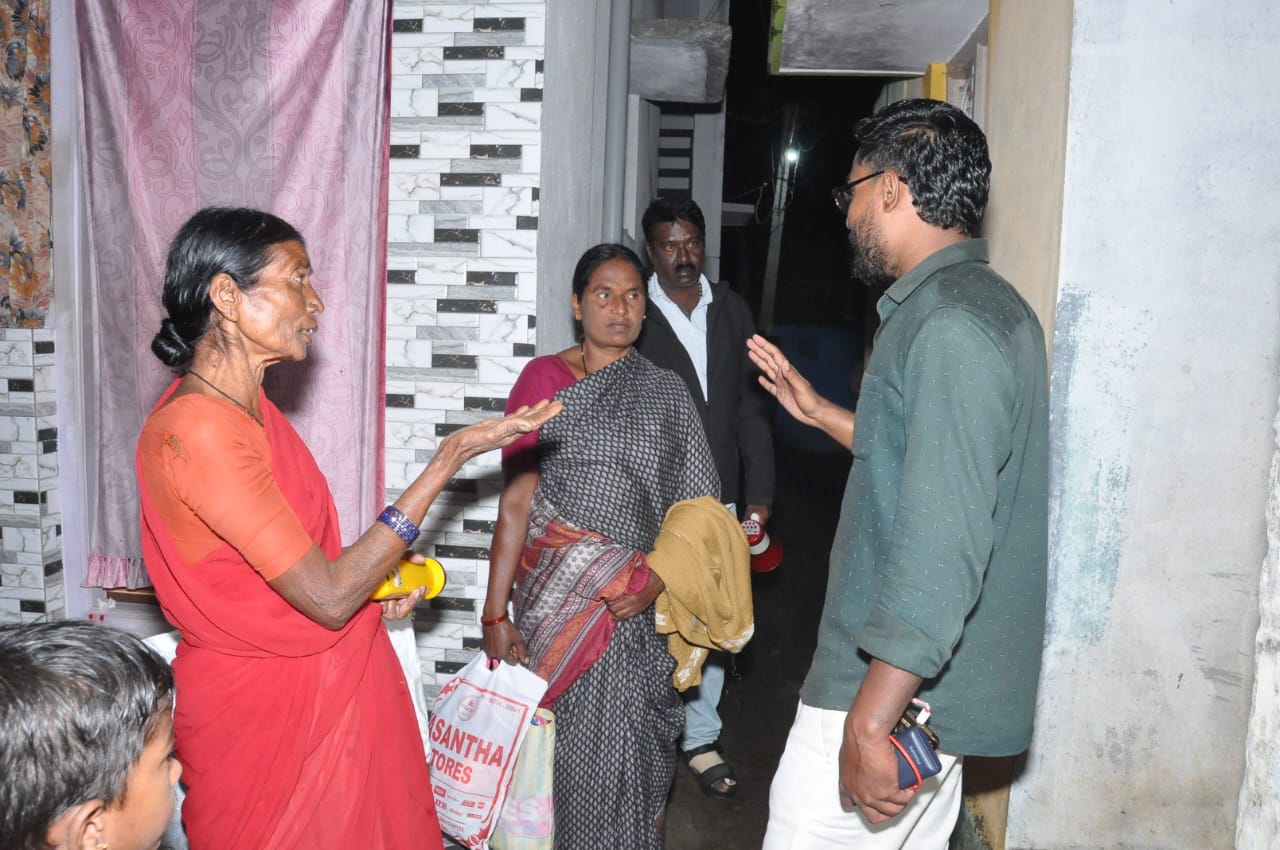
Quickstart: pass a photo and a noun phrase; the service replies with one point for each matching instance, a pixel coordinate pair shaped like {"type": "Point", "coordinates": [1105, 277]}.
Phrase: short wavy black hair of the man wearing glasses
{"type": "Point", "coordinates": [941, 156]}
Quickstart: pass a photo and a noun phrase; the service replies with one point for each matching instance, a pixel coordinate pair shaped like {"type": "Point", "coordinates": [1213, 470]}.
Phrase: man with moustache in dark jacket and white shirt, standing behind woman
{"type": "Point", "coordinates": [700, 331]}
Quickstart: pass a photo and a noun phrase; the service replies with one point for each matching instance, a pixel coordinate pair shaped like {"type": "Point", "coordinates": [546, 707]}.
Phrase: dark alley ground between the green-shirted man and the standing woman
{"type": "Point", "coordinates": [760, 703]}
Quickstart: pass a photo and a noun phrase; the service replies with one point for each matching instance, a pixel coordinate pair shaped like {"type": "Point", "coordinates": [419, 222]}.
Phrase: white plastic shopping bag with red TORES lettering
{"type": "Point", "coordinates": [478, 724]}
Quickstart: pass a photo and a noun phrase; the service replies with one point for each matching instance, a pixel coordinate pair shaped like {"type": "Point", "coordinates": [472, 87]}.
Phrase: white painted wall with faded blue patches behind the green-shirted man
{"type": "Point", "coordinates": [1165, 386]}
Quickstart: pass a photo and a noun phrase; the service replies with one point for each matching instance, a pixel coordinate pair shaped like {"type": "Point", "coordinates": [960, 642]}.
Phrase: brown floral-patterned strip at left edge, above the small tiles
{"type": "Point", "coordinates": [25, 164]}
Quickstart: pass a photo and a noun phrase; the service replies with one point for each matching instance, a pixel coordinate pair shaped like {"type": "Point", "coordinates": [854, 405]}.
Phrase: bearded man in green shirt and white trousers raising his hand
{"type": "Point", "coordinates": [939, 565]}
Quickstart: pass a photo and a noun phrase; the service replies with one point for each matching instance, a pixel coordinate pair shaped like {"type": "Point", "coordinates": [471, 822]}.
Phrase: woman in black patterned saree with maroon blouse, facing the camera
{"type": "Point", "coordinates": [583, 504]}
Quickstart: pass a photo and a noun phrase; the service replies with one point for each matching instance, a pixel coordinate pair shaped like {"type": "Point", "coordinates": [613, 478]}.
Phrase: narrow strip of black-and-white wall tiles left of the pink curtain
{"type": "Point", "coordinates": [31, 568]}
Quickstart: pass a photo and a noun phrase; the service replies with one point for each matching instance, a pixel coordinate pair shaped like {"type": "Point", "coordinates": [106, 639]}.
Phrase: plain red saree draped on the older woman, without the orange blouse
{"type": "Point", "coordinates": [291, 735]}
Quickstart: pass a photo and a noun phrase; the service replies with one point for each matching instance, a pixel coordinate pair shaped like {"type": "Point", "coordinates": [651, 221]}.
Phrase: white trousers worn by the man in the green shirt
{"type": "Point", "coordinates": [804, 799]}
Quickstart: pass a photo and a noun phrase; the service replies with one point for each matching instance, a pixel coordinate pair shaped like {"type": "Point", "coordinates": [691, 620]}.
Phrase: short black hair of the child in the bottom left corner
{"type": "Point", "coordinates": [79, 703]}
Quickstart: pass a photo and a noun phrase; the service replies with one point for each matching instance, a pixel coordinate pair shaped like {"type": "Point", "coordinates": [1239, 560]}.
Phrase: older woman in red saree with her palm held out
{"type": "Point", "coordinates": [295, 725]}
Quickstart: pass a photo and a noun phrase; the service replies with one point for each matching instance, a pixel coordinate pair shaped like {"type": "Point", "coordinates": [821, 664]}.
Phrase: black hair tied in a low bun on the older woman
{"type": "Point", "coordinates": [232, 241]}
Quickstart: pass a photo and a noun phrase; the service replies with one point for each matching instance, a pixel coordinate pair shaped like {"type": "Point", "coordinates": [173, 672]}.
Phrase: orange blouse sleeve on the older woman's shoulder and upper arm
{"type": "Point", "coordinates": [209, 470]}
